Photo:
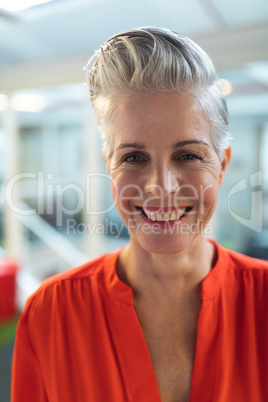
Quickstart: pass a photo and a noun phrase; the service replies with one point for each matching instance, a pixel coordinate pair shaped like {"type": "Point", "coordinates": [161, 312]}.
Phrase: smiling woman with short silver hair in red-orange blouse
{"type": "Point", "coordinates": [171, 316]}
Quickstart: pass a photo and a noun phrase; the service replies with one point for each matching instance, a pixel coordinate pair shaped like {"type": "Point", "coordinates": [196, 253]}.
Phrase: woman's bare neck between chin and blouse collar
{"type": "Point", "coordinates": [159, 274]}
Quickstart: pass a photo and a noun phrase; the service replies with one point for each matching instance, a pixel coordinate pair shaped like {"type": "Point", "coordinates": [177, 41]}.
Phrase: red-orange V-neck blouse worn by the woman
{"type": "Point", "coordinates": [79, 338]}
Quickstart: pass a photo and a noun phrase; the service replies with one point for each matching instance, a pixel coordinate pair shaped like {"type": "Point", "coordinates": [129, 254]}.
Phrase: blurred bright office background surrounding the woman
{"type": "Point", "coordinates": [56, 210]}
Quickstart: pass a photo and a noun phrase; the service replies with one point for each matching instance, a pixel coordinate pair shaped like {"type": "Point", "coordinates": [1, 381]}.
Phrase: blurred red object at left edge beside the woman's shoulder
{"type": "Point", "coordinates": [8, 269]}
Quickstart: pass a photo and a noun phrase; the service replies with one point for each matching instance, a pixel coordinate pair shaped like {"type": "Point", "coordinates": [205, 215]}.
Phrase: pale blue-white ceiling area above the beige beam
{"type": "Point", "coordinates": [70, 27]}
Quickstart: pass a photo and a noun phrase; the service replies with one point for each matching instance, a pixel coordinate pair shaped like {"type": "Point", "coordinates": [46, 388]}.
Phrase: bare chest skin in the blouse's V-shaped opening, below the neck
{"type": "Point", "coordinates": [171, 340]}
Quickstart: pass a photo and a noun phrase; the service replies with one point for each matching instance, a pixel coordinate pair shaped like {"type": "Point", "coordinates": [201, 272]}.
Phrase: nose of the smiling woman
{"type": "Point", "coordinates": [161, 182]}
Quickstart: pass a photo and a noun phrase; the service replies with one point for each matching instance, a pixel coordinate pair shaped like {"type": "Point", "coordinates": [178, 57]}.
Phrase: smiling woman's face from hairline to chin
{"type": "Point", "coordinates": [164, 169]}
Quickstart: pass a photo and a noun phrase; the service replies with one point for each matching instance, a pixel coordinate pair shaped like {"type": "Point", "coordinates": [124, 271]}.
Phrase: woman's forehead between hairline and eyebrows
{"type": "Point", "coordinates": [172, 116]}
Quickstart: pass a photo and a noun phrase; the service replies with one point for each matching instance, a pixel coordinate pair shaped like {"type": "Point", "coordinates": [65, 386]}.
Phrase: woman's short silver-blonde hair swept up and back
{"type": "Point", "coordinates": [148, 60]}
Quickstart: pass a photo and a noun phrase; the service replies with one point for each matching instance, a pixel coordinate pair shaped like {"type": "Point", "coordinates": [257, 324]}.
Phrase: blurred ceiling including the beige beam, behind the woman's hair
{"type": "Point", "coordinates": [48, 45]}
